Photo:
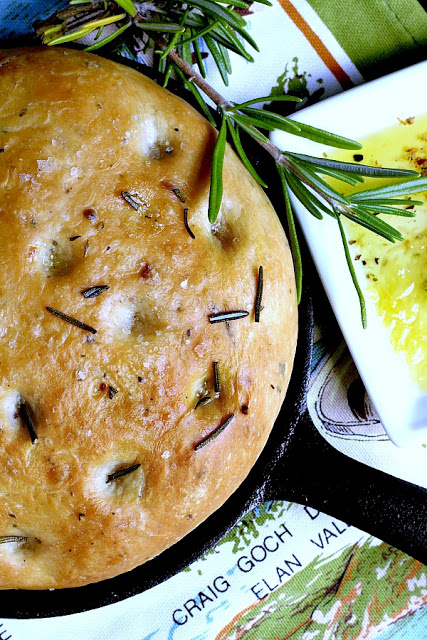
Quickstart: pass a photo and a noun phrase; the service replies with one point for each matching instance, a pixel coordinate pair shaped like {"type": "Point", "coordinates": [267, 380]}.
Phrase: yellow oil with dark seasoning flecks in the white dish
{"type": "Point", "coordinates": [396, 273]}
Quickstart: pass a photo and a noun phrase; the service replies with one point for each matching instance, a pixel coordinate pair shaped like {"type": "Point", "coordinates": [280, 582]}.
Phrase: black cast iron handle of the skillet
{"type": "Point", "coordinates": [317, 475]}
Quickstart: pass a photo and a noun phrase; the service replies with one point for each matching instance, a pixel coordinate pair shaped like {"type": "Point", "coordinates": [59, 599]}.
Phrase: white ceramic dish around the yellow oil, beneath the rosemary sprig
{"type": "Point", "coordinates": [358, 113]}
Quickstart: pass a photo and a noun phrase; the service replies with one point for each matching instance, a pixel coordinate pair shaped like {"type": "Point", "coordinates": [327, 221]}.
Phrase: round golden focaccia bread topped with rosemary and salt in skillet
{"type": "Point", "coordinates": [130, 408]}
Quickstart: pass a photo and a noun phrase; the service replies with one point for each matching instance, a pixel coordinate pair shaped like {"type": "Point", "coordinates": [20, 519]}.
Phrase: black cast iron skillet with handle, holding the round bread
{"type": "Point", "coordinates": [297, 465]}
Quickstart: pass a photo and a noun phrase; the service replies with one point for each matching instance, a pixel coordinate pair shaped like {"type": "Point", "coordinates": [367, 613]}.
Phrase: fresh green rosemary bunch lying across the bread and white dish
{"type": "Point", "coordinates": [179, 34]}
